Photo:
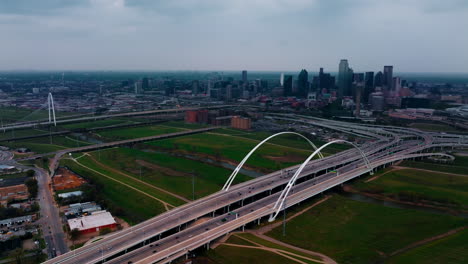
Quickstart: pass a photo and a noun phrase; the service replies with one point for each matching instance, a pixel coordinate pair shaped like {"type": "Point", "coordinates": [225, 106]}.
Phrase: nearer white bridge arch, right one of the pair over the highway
{"type": "Point", "coordinates": [279, 203]}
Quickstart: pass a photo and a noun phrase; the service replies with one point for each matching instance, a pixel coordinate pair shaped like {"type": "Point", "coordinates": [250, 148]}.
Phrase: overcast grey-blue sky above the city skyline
{"type": "Point", "coordinates": [412, 35]}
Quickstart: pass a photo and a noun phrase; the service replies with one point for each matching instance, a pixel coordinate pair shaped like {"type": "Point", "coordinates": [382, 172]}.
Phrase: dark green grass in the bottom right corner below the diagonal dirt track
{"type": "Point", "coordinates": [448, 250]}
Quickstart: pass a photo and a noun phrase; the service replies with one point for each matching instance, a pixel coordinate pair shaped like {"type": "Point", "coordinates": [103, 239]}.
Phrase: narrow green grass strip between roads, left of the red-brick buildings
{"type": "Point", "coordinates": [137, 132]}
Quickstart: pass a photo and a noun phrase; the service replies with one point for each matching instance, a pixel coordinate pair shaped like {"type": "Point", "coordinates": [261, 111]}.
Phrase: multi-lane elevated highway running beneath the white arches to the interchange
{"type": "Point", "coordinates": [173, 234]}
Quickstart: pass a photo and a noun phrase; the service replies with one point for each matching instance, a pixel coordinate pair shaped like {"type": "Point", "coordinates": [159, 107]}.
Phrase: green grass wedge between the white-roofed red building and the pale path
{"type": "Point", "coordinates": [126, 203]}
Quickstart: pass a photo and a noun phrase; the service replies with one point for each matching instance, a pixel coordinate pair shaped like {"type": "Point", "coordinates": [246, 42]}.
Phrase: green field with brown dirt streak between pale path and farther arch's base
{"type": "Point", "coordinates": [208, 178]}
